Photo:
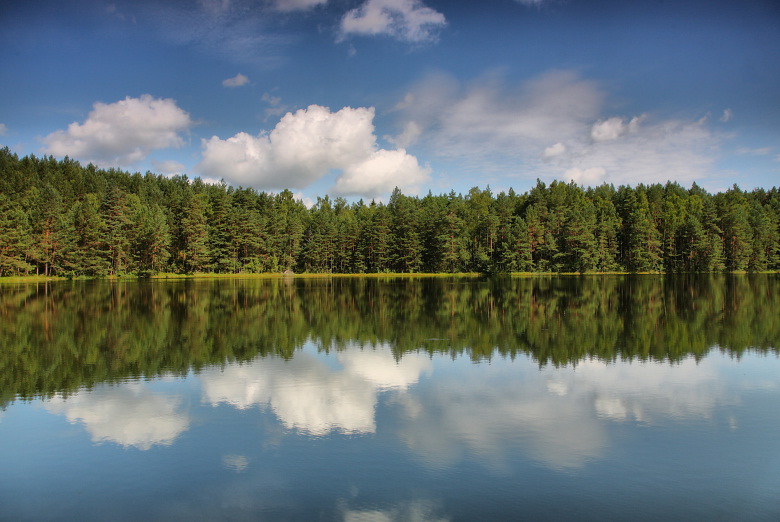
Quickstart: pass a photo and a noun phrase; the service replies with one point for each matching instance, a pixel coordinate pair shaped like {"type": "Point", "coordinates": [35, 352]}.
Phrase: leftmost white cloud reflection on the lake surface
{"type": "Point", "coordinates": [129, 415]}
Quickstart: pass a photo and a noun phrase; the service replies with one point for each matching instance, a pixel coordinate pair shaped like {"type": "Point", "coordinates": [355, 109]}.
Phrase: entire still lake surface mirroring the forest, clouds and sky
{"type": "Point", "coordinates": [558, 398]}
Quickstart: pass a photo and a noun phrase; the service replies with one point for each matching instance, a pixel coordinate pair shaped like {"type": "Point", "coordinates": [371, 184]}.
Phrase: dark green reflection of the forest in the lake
{"type": "Point", "coordinates": [67, 335]}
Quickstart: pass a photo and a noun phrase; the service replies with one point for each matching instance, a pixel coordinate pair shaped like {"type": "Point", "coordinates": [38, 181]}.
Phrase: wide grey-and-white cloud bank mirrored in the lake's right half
{"type": "Point", "coordinates": [559, 417]}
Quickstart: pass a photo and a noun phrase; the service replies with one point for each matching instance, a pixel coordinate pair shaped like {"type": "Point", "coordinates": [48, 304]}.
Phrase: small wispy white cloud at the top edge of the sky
{"type": "Point", "coordinates": [406, 20]}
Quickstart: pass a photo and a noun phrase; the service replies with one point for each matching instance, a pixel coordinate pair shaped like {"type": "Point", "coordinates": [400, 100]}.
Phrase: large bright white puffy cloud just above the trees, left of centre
{"type": "Point", "coordinates": [308, 144]}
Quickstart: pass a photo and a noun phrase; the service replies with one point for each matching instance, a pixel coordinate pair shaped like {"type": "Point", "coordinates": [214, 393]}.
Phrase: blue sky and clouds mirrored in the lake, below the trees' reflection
{"type": "Point", "coordinates": [361, 433]}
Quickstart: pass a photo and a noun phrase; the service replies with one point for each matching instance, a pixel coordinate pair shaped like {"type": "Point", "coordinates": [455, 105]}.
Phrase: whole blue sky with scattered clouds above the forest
{"type": "Point", "coordinates": [353, 98]}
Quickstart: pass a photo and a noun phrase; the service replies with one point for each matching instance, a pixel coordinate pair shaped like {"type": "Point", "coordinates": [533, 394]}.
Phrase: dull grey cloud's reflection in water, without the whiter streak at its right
{"type": "Point", "coordinates": [503, 410]}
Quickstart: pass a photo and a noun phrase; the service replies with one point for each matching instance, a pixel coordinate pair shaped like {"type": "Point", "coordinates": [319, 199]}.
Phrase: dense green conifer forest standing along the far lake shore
{"type": "Point", "coordinates": [58, 217]}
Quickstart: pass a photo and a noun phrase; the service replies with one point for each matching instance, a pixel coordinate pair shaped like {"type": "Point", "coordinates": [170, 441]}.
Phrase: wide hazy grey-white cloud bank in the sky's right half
{"type": "Point", "coordinates": [552, 126]}
